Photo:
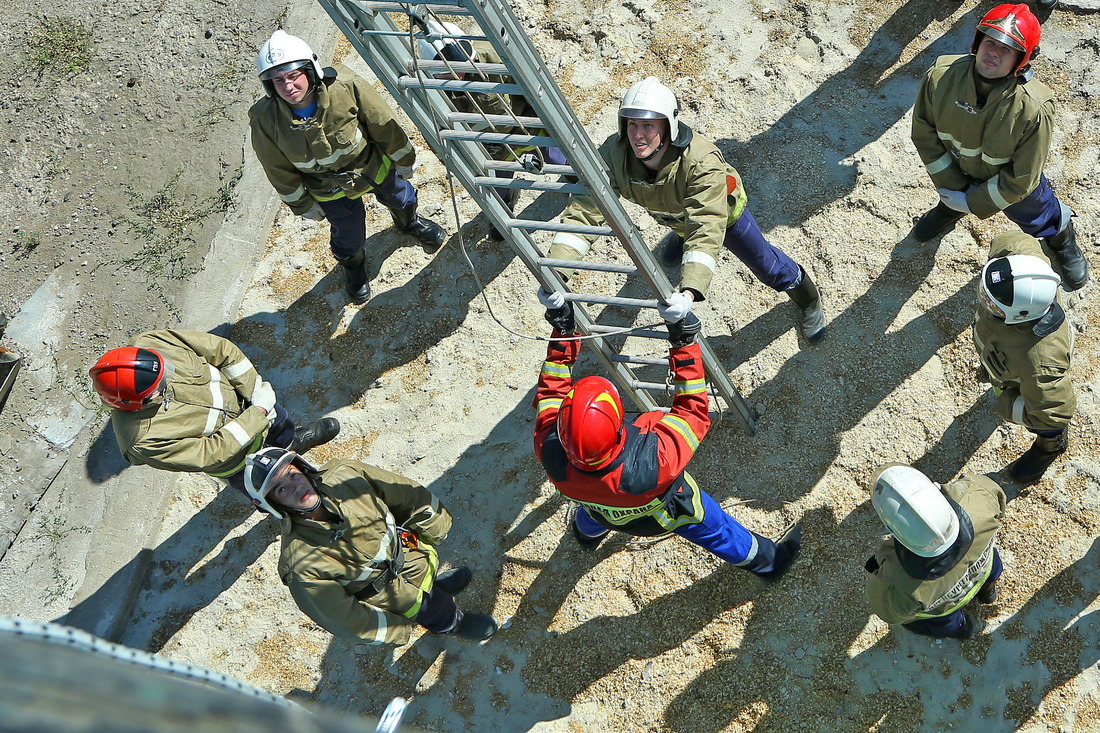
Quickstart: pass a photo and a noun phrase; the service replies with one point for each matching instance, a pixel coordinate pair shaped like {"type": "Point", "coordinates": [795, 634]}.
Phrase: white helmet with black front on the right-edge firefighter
{"type": "Point", "coordinates": [1019, 288]}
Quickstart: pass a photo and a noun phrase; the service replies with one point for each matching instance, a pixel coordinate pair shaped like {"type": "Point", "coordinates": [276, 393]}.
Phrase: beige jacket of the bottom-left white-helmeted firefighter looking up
{"type": "Point", "coordinates": [326, 565]}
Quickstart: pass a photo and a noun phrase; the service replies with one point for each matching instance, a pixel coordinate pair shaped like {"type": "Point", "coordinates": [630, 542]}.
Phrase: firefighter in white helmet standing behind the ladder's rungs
{"type": "Point", "coordinates": [444, 42]}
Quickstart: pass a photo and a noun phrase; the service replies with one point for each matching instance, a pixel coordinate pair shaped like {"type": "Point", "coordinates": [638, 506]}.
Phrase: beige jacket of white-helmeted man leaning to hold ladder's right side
{"type": "Point", "coordinates": [696, 193]}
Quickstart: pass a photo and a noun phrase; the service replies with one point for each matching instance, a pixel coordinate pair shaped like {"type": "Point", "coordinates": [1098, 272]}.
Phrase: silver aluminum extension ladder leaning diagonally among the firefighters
{"type": "Point", "coordinates": [459, 139]}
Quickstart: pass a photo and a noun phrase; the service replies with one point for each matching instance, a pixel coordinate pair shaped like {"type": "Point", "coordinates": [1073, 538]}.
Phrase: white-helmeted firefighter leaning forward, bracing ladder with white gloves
{"type": "Point", "coordinates": [683, 180]}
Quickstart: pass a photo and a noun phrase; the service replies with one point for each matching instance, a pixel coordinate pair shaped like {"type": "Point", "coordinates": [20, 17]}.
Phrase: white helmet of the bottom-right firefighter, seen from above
{"type": "Point", "coordinates": [915, 510]}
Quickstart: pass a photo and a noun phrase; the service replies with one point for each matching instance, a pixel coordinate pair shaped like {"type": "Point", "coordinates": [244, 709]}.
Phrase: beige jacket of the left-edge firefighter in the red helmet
{"type": "Point", "coordinates": [203, 421]}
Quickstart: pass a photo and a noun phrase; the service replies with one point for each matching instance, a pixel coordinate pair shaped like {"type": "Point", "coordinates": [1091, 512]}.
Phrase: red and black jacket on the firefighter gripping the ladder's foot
{"type": "Point", "coordinates": [646, 490]}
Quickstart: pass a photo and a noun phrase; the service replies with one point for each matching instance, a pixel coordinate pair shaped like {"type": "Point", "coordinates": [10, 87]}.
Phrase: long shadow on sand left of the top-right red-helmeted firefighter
{"type": "Point", "coordinates": [846, 113]}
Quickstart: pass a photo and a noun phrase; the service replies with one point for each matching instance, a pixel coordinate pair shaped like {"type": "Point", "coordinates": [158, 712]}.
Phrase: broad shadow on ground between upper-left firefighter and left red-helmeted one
{"type": "Point", "coordinates": [316, 369]}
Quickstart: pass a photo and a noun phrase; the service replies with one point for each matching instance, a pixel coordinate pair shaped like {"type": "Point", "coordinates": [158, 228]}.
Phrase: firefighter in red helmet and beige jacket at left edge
{"type": "Point", "coordinates": [189, 401]}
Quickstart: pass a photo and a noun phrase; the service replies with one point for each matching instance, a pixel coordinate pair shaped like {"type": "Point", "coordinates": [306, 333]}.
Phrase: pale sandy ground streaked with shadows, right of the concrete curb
{"type": "Point", "coordinates": [811, 102]}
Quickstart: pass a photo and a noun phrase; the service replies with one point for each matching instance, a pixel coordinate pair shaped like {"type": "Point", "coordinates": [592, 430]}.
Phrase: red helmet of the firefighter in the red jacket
{"type": "Point", "coordinates": [590, 424]}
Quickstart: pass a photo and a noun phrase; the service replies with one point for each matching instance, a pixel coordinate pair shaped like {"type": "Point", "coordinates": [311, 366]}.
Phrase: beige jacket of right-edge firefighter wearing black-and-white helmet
{"type": "Point", "coordinates": [1031, 373]}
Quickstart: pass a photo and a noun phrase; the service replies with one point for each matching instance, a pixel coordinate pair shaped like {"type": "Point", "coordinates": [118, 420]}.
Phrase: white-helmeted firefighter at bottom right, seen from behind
{"type": "Point", "coordinates": [940, 554]}
